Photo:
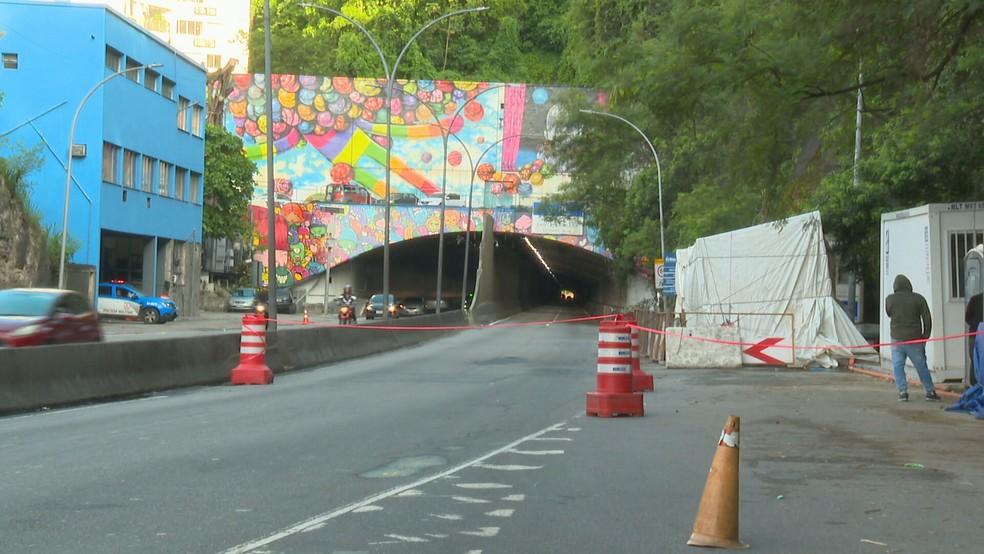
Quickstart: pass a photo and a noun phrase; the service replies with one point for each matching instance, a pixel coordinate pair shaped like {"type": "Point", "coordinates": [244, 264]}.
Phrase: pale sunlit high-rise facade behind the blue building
{"type": "Point", "coordinates": [211, 32]}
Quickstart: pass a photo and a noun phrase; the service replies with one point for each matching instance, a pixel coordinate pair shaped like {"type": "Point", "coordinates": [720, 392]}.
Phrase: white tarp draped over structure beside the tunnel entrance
{"type": "Point", "coordinates": [771, 280]}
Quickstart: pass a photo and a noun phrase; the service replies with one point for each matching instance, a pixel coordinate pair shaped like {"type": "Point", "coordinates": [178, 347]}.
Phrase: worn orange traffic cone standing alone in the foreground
{"type": "Point", "coordinates": [717, 517]}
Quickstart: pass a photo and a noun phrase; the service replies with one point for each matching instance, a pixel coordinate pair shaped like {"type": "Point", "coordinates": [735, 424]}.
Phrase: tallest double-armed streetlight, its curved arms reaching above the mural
{"type": "Point", "coordinates": [390, 81]}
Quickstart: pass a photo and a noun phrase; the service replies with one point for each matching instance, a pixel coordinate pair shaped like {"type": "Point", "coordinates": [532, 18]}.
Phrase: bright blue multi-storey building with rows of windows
{"type": "Point", "coordinates": [135, 207]}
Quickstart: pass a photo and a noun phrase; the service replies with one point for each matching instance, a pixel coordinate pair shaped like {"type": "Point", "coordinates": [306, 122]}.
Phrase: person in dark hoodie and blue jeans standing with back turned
{"type": "Point", "coordinates": [911, 321]}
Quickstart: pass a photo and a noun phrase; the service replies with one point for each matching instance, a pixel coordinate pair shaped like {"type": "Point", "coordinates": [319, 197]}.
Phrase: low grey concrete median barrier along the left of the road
{"type": "Point", "coordinates": [32, 378]}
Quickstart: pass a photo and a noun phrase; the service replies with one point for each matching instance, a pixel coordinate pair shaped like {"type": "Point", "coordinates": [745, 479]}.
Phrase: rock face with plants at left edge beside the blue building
{"type": "Point", "coordinates": [23, 249]}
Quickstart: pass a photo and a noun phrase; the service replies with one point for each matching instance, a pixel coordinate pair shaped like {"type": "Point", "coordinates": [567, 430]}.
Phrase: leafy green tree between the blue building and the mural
{"type": "Point", "coordinates": [228, 185]}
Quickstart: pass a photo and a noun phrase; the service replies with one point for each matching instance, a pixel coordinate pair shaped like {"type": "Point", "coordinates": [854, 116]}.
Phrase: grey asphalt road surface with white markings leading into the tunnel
{"type": "Point", "coordinates": [477, 443]}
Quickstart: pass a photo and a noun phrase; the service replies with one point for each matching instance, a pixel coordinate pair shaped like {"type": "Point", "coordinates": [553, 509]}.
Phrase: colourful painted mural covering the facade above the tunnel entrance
{"type": "Point", "coordinates": [330, 155]}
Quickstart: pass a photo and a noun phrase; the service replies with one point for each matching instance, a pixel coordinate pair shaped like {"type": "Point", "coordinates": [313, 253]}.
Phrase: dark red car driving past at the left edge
{"type": "Point", "coordinates": [37, 317]}
